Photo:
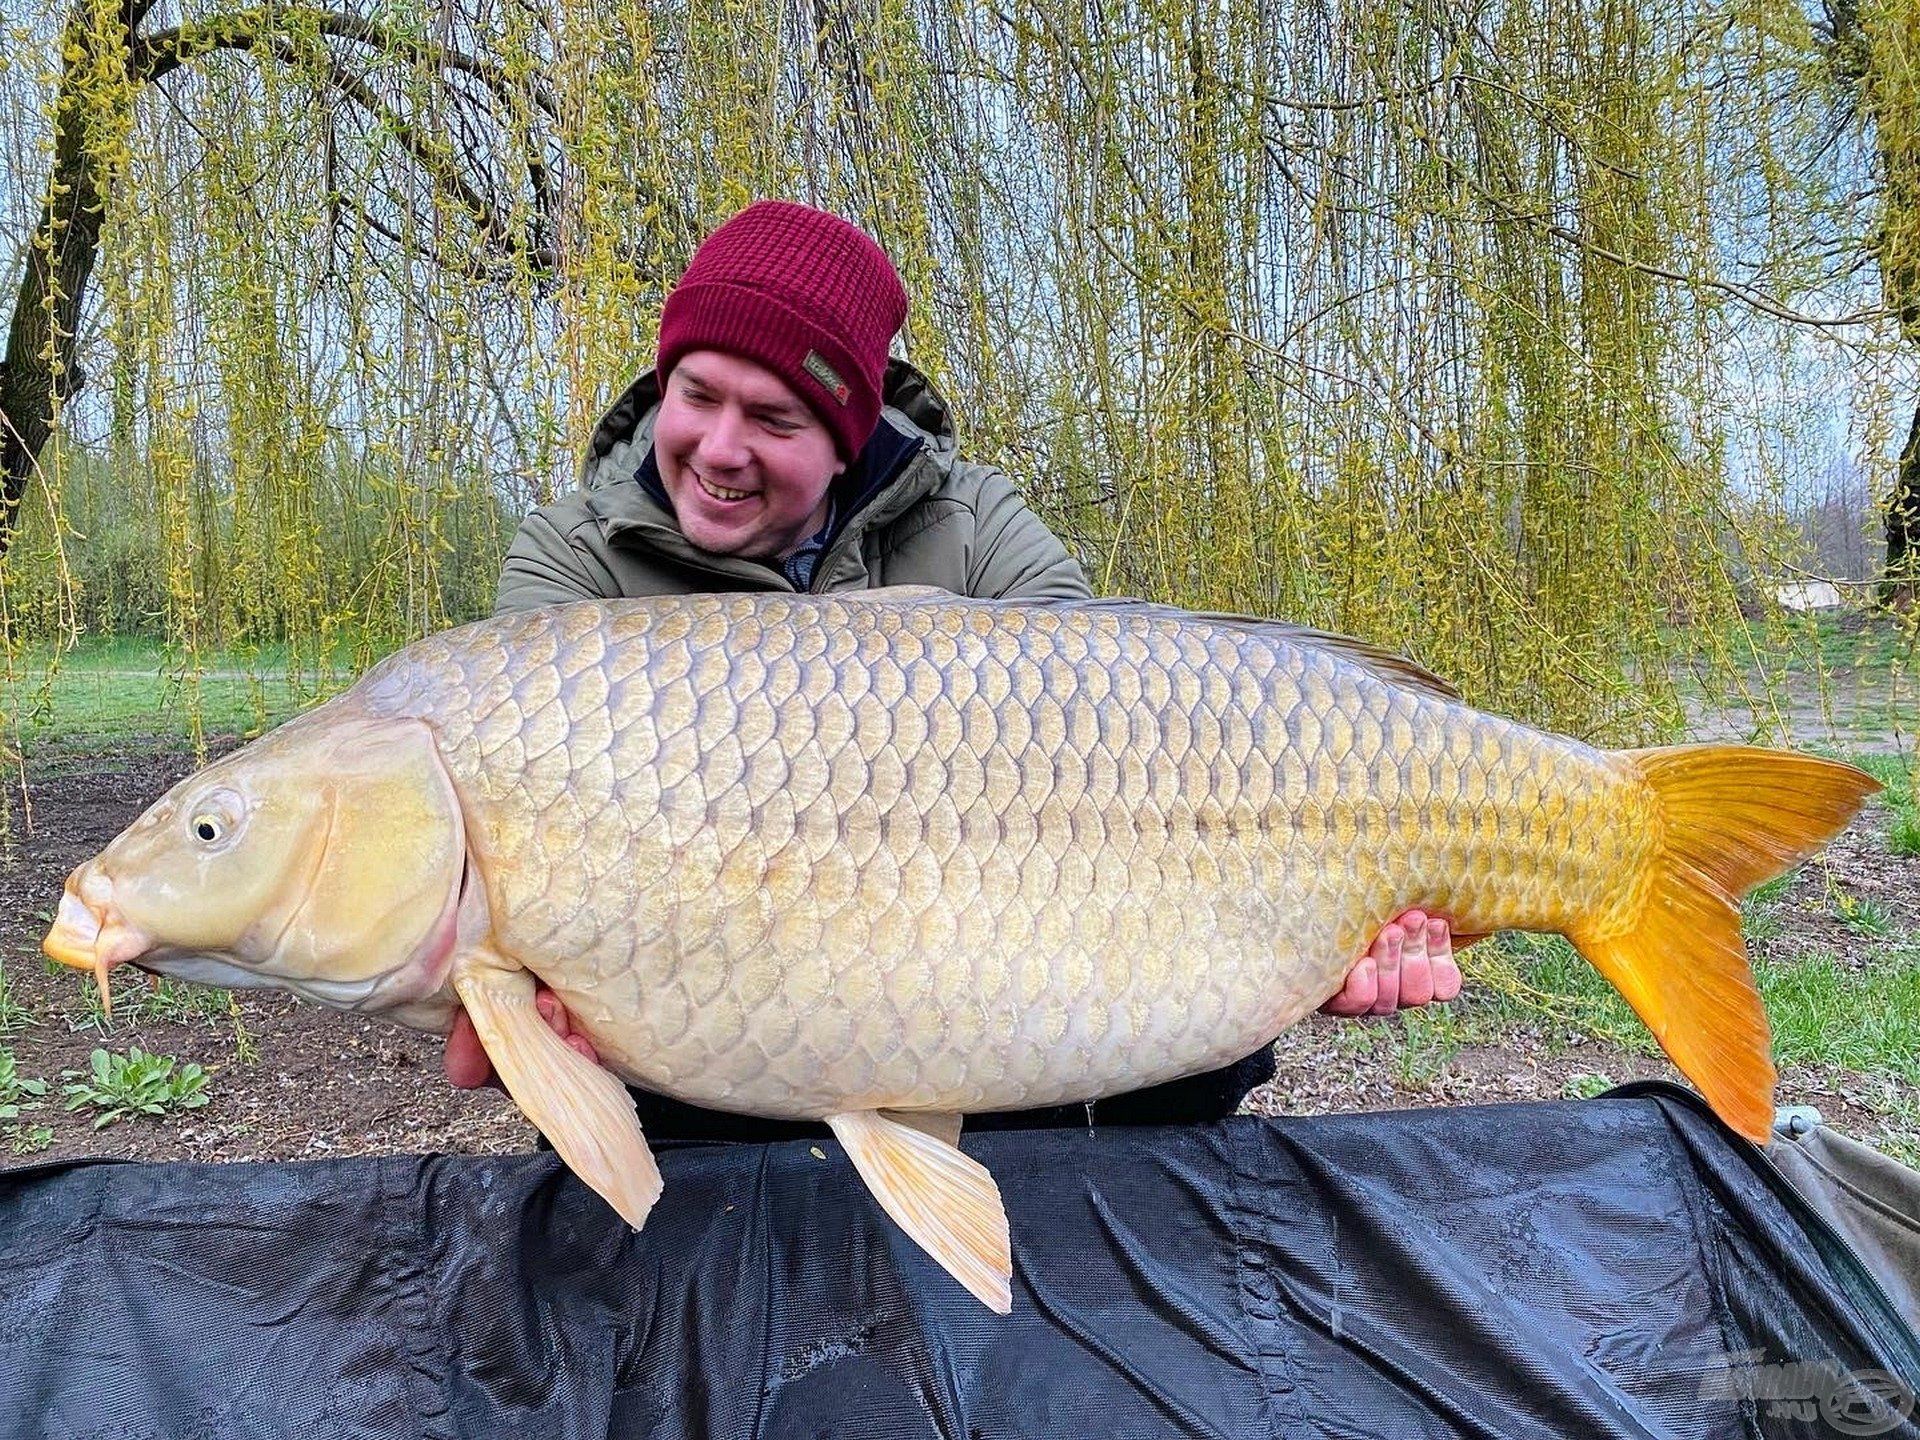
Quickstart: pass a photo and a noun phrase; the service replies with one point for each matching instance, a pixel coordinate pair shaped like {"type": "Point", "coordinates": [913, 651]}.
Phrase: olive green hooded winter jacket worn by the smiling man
{"type": "Point", "coordinates": [907, 514]}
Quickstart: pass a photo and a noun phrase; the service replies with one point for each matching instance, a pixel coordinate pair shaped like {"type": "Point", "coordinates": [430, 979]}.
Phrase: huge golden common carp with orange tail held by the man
{"type": "Point", "coordinates": [898, 857]}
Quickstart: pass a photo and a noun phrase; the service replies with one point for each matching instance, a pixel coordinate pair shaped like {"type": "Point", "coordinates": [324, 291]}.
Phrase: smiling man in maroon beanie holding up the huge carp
{"type": "Point", "coordinates": [777, 448]}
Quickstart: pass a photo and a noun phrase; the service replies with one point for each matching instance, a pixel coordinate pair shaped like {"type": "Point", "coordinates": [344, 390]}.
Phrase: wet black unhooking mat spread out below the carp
{"type": "Point", "coordinates": [1558, 1270]}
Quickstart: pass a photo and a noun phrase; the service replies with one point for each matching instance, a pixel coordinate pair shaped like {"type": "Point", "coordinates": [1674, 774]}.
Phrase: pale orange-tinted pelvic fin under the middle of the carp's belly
{"type": "Point", "coordinates": [946, 1203]}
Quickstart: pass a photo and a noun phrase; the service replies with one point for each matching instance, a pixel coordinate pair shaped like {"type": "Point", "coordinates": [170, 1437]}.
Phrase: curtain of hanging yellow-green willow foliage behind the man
{"type": "Point", "coordinates": [1481, 331]}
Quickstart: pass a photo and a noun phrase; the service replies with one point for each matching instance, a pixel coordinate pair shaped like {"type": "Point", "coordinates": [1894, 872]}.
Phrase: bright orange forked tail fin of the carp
{"type": "Point", "coordinates": [1731, 817]}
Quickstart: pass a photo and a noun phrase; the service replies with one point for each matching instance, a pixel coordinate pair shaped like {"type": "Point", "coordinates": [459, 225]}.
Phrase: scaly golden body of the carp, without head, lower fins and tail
{"type": "Point", "coordinates": [798, 855]}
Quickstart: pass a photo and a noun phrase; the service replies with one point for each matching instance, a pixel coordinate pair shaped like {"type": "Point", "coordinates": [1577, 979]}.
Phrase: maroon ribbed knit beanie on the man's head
{"type": "Point", "coordinates": [805, 295]}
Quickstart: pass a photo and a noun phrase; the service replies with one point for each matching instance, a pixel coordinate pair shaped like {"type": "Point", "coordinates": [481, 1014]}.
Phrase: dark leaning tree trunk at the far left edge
{"type": "Point", "coordinates": [43, 341]}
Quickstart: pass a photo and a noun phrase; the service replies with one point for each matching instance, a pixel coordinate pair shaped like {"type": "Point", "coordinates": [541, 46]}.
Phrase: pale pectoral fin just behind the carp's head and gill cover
{"type": "Point", "coordinates": [579, 1107]}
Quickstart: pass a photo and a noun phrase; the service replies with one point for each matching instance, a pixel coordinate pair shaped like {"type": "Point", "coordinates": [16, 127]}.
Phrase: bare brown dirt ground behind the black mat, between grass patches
{"type": "Point", "coordinates": [293, 1082]}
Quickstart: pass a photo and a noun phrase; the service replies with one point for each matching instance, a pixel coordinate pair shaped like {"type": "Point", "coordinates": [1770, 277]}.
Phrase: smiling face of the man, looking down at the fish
{"type": "Point", "coordinates": [742, 456]}
